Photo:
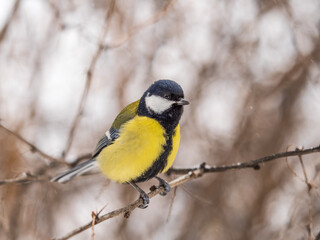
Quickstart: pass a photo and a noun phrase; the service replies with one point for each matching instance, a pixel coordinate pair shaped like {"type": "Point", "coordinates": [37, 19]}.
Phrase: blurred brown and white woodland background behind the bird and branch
{"type": "Point", "coordinates": [250, 69]}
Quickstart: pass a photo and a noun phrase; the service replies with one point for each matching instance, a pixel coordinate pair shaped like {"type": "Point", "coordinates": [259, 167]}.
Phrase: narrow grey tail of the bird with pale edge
{"type": "Point", "coordinates": [78, 170]}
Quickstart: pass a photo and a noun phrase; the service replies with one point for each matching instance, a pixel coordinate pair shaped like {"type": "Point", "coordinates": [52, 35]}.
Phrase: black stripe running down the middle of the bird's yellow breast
{"type": "Point", "coordinates": [161, 161]}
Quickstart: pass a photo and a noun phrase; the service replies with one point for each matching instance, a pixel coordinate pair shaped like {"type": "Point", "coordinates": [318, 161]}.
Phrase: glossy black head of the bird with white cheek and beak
{"type": "Point", "coordinates": [163, 101]}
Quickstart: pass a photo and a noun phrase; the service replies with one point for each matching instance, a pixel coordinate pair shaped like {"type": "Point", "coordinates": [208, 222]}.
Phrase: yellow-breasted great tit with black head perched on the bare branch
{"type": "Point", "coordinates": [142, 142]}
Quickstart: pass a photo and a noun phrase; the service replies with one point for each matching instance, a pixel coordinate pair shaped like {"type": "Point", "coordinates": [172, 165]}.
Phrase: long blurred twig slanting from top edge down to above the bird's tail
{"type": "Point", "coordinates": [89, 80]}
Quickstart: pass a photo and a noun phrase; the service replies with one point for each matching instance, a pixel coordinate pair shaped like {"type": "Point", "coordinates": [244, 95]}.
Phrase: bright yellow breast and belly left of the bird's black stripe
{"type": "Point", "coordinates": [140, 143]}
